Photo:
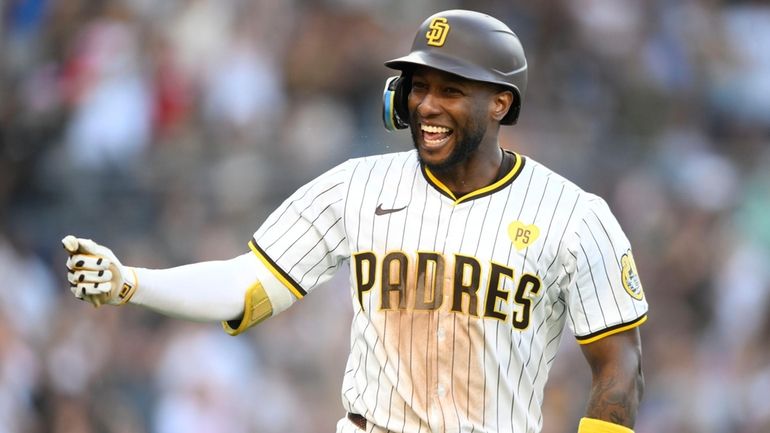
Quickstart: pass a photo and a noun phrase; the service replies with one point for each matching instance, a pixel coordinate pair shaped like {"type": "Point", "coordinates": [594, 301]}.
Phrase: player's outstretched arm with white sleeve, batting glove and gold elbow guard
{"type": "Point", "coordinates": [239, 292]}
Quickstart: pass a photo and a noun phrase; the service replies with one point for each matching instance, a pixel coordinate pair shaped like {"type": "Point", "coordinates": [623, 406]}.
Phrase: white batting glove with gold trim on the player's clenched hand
{"type": "Point", "coordinates": [96, 275]}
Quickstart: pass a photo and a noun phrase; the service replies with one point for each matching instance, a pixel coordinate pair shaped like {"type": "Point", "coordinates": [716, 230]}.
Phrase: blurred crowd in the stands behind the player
{"type": "Point", "coordinates": [169, 130]}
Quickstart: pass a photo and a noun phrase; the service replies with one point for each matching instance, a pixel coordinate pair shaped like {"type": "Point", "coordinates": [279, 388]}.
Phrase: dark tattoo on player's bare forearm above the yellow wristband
{"type": "Point", "coordinates": [613, 401]}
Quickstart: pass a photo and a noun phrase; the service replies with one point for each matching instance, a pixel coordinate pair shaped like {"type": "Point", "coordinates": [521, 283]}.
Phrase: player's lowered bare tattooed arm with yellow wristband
{"type": "Point", "coordinates": [617, 385]}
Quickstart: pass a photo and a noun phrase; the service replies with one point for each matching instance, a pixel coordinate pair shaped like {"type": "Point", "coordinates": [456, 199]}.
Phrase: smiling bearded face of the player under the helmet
{"type": "Point", "coordinates": [450, 117]}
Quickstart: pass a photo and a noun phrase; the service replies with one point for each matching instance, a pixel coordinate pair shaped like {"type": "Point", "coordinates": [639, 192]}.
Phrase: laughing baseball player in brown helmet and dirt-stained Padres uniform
{"type": "Point", "coordinates": [466, 260]}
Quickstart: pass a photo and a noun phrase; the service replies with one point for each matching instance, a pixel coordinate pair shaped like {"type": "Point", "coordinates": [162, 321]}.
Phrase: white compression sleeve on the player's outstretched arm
{"type": "Point", "coordinates": [207, 291]}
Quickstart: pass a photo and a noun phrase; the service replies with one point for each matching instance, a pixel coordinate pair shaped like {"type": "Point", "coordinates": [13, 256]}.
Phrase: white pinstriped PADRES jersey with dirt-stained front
{"type": "Point", "coordinates": [459, 303]}
